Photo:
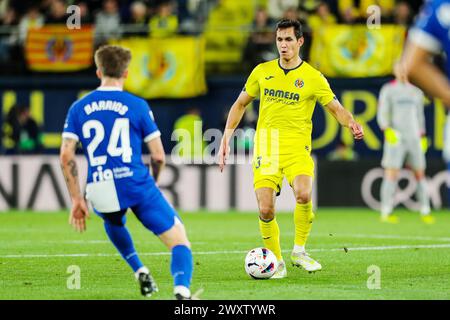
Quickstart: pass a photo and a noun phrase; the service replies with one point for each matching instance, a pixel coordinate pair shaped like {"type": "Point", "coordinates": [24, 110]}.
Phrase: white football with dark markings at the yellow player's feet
{"type": "Point", "coordinates": [260, 263]}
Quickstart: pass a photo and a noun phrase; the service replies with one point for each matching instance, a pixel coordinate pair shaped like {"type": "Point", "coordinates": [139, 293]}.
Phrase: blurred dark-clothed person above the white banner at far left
{"type": "Point", "coordinates": [22, 131]}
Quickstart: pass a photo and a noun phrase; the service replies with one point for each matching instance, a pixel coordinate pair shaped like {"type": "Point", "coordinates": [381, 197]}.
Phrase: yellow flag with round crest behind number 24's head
{"type": "Point", "coordinates": [166, 68]}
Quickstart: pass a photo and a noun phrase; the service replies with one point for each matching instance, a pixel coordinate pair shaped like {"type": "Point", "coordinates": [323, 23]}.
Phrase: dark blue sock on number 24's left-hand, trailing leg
{"type": "Point", "coordinates": [120, 237]}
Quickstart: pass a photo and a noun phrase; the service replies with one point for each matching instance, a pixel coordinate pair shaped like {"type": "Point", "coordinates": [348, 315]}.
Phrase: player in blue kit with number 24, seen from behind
{"type": "Point", "coordinates": [111, 126]}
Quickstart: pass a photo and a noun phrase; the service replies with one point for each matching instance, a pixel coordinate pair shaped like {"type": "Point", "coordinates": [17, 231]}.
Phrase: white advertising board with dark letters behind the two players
{"type": "Point", "coordinates": [37, 183]}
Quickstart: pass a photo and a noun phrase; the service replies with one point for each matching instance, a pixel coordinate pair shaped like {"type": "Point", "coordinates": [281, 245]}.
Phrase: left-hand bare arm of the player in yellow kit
{"type": "Point", "coordinates": [234, 117]}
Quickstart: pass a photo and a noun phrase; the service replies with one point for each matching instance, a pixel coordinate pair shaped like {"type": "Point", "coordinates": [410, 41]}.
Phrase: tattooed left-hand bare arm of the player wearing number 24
{"type": "Point", "coordinates": [79, 210]}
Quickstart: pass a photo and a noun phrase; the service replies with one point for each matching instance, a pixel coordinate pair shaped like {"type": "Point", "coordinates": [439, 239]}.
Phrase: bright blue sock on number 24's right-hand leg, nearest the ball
{"type": "Point", "coordinates": [181, 266]}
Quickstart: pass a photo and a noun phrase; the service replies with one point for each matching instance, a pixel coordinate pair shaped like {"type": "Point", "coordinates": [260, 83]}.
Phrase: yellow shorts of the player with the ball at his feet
{"type": "Point", "coordinates": [268, 171]}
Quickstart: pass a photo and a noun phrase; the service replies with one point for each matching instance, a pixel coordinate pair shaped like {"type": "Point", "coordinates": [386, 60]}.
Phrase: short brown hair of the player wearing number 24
{"type": "Point", "coordinates": [112, 60]}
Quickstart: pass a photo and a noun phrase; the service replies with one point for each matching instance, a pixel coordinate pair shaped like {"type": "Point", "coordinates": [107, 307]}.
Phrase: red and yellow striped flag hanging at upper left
{"type": "Point", "coordinates": [56, 48]}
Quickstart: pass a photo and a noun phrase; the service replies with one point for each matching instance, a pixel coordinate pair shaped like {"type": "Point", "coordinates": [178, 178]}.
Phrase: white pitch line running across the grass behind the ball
{"type": "Point", "coordinates": [82, 255]}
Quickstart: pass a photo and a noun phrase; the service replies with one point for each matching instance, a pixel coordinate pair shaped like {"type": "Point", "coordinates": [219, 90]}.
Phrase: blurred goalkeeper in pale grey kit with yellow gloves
{"type": "Point", "coordinates": [401, 118]}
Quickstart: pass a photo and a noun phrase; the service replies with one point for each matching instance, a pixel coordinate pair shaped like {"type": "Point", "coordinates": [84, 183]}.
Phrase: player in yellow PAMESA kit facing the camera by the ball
{"type": "Point", "coordinates": [288, 89]}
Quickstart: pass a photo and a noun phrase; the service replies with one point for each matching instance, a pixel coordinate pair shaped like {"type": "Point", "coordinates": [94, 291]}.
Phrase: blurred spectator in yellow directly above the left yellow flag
{"type": "Point", "coordinates": [164, 23]}
